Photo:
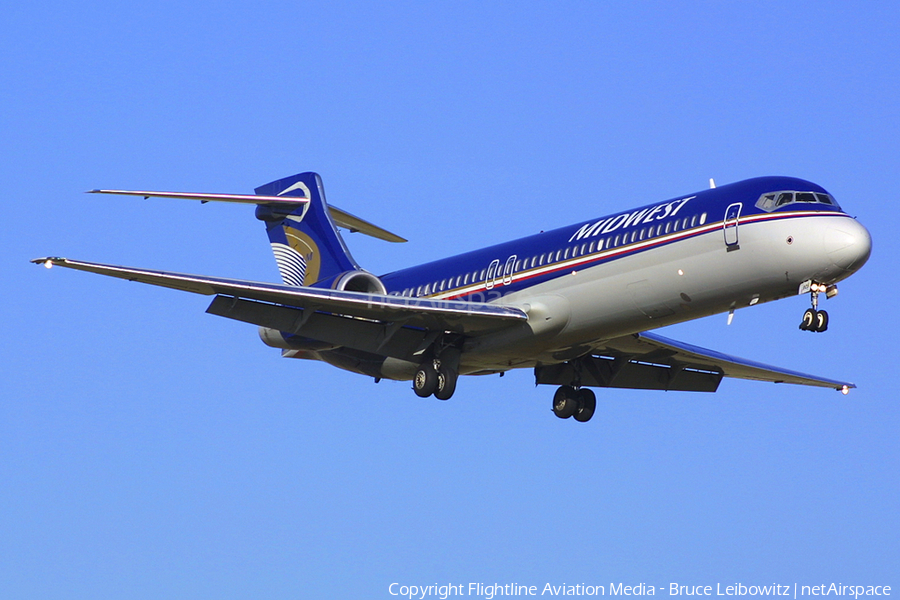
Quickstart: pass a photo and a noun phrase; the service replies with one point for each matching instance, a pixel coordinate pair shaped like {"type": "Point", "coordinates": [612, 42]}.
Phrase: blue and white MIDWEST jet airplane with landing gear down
{"type": "Point", "coordinates": [576, 304]}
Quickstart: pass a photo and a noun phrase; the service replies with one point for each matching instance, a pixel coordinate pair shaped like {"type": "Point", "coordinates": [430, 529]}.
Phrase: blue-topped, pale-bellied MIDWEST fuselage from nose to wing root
{"type": "Point", "coordinates": [664, 263]}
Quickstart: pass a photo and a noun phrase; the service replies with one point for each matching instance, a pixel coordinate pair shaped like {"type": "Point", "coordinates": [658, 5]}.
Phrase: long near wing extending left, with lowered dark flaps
{"type": "Point", "coordinates": [392, 325]}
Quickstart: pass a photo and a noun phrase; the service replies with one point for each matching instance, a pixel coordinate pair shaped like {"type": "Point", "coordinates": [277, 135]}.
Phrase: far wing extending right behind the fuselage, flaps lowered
{"type": "Point", "coordinates": [651, 361]}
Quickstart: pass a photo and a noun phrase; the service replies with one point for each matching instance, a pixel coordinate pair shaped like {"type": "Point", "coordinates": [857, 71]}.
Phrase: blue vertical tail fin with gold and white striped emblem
{"type": "Point", "coordinates": [305, 241]}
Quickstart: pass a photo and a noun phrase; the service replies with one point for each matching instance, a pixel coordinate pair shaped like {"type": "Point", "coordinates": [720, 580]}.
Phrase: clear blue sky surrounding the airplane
{"type": "Point", "coordinates": [148, 450]}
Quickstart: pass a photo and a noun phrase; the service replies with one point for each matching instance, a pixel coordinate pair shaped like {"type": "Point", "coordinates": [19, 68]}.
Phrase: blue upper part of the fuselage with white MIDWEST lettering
{"type": "Point", "coordinates": [487, 273]}
